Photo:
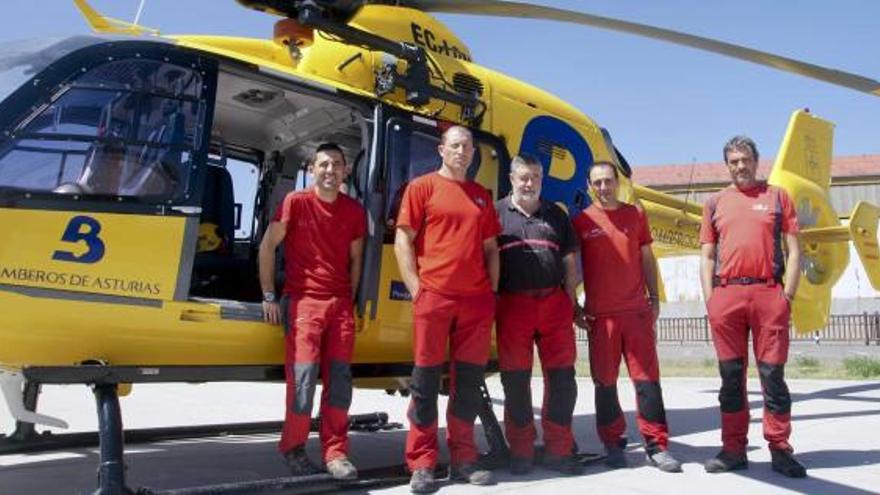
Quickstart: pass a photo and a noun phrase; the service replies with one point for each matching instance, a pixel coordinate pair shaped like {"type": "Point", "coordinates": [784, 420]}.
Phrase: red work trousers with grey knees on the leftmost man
{"type": "Point", "coordinates": [319, 337]}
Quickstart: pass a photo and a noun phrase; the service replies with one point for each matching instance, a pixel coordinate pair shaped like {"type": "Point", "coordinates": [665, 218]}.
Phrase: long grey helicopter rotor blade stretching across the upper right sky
{"type": "Point", "coordinates": [501, 8]}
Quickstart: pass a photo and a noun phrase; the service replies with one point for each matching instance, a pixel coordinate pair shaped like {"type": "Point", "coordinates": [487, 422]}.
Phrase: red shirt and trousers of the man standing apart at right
{"type": "Point", "coordinates": [747, 228]}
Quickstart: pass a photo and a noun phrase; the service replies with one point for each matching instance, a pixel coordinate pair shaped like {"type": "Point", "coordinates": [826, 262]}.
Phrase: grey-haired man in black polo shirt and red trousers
{"type": "Point", "coordinates": [536, 306]}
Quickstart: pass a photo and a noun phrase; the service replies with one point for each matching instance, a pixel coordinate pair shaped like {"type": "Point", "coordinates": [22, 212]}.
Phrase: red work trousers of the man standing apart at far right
{"type": "Point", "coordinates": [733, 311]}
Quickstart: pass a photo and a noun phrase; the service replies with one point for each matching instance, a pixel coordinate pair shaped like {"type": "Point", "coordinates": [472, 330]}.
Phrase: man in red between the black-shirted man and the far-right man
{"type": "Point", "coordinates": [621, 299]}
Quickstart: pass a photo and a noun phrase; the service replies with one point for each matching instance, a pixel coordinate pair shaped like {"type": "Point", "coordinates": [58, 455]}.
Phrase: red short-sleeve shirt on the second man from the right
{"type": "Point", "coordinates": [611, 256]}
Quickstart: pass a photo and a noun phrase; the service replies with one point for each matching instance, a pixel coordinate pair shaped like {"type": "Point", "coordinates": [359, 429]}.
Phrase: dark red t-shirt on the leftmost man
{"type": "Point", "coordinates": [317, 242]}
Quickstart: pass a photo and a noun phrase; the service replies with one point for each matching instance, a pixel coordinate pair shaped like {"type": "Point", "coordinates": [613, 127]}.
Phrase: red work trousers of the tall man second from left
{"type": "Point", "coordinates": [464, 325]}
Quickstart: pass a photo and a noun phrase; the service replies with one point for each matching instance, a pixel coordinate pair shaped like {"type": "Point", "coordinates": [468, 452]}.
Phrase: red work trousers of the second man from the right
{"type": "Point", "coordinates": [630, 335]}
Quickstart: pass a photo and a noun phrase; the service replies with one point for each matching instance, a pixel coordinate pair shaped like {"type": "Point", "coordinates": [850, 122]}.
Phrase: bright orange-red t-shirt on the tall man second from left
{"type": "Point", "coordinates": [451, 220]}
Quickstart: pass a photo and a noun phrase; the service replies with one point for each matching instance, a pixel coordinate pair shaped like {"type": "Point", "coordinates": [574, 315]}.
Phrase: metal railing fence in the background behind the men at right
{"type": "Point", "coordinates": [861, 328]}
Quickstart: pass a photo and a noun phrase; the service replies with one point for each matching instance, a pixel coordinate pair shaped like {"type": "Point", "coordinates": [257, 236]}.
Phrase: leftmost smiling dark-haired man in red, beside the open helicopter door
{"type": "Point", "coordinates": [322, 231]}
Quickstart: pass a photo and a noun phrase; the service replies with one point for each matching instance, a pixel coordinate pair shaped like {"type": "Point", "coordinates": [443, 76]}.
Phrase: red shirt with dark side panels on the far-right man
{"type": "Point", "coordinates": [747, 227]}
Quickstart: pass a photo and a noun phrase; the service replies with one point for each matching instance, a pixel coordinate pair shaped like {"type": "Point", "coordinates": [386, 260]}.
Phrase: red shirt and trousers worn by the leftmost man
{"type": "Point", "coordinates": [318, 319]}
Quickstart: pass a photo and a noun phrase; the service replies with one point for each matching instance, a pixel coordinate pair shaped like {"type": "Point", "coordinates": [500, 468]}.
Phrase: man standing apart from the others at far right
{"type": "Point", "coordinates": [748, 283]}
